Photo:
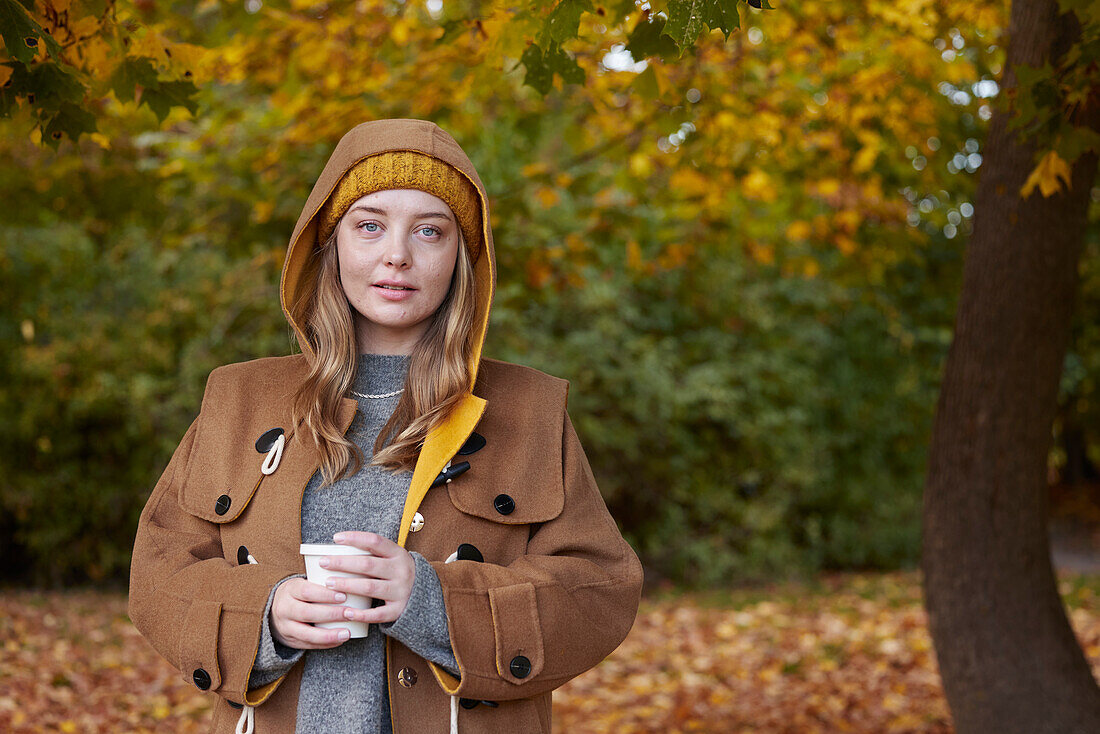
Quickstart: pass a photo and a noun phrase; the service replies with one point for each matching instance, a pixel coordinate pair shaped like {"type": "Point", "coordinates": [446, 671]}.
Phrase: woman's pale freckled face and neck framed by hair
{"type": "Point", "coordinates": [398, 251]}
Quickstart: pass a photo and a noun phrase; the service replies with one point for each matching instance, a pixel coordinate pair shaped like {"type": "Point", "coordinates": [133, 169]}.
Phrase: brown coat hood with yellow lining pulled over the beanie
{"type": "Point", "coordinates": [367, 139]}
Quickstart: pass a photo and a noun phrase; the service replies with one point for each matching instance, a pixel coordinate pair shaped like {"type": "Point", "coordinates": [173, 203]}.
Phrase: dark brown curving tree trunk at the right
{"type": "Point", "coordinates": [1008, 659]}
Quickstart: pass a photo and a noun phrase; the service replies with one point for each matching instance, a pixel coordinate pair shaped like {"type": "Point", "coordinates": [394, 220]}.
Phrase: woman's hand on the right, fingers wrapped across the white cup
{"type": "Point", "coordinates": [389, 575]}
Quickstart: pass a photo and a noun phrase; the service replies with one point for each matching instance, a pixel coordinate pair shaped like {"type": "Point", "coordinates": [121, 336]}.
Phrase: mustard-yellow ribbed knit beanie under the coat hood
{"type": "Point", "coordinates": [406, 170]}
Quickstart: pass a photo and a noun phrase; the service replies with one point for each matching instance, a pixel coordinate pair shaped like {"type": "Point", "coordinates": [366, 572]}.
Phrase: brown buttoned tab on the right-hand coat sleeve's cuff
{"type": "Point", "coordinates": [518, 632]}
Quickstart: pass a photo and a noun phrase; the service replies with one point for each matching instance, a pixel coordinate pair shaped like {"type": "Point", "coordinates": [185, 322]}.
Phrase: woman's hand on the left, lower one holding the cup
{"type": "Point", "coordinates": [298, 605]}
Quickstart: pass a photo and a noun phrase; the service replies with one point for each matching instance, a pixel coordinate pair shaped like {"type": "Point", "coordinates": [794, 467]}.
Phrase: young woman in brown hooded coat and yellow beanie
{"type": "Point", "coordinates": [497, 571]}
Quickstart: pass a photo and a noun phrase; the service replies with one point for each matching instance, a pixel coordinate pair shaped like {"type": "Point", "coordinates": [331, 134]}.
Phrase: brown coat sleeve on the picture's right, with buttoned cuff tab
{"type": "Point", "coordinates": [555, 612]}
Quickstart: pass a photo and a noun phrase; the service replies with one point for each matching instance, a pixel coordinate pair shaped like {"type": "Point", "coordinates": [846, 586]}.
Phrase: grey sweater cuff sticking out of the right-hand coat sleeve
{"type": "Point", "coordinates": [423, 625]}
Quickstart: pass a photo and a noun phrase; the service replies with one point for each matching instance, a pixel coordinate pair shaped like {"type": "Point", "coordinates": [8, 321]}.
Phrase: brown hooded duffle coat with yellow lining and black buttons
{"type": "Point", "coordinates": [558, 589]}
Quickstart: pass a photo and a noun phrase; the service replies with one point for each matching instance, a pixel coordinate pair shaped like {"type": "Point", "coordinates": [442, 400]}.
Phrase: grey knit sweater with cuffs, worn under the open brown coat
{"type": "Point", "coordinates": [344, 688]}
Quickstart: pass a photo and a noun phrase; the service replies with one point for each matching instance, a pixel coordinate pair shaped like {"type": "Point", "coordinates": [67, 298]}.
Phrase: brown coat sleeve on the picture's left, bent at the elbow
{"type": "Point", "coordinates": [201, 611]}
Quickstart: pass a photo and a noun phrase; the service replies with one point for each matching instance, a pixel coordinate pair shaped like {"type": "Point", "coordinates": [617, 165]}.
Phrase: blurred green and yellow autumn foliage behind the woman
{"type": "Point", "coordinates": [744, 258]}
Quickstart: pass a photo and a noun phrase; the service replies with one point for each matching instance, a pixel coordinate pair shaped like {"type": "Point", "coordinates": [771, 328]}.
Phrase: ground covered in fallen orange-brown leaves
{"type": "Point", "coordinates": [849, 654]}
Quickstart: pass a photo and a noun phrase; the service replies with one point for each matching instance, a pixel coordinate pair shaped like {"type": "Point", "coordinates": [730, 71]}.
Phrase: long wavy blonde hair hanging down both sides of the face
{"type": "Point", "coordinates": [438, 374]}
